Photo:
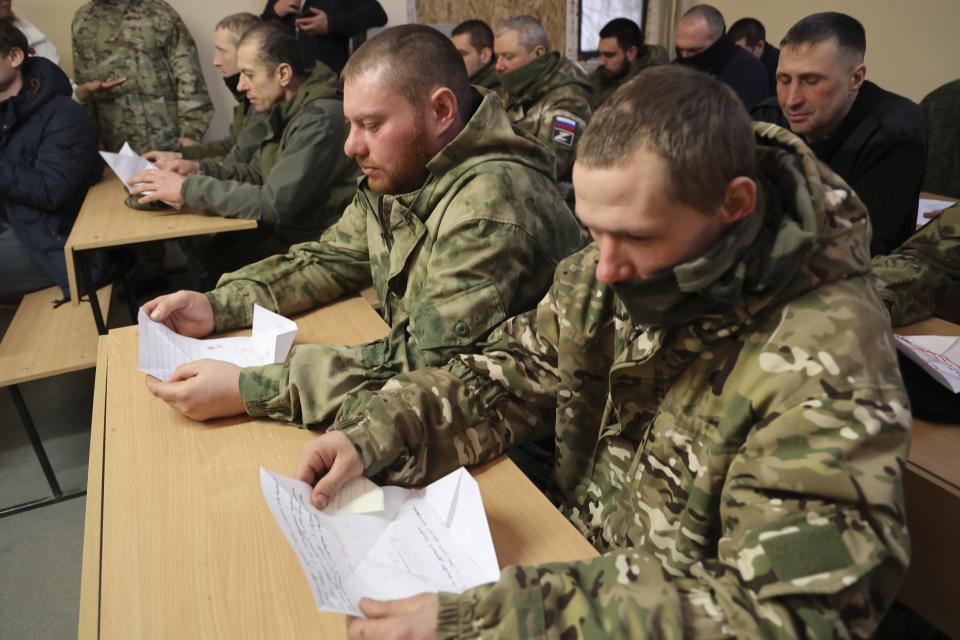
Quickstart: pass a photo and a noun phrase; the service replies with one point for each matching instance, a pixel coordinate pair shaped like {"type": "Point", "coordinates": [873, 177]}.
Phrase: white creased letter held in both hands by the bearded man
{"type": "Point", "coordinates": [163, 350]}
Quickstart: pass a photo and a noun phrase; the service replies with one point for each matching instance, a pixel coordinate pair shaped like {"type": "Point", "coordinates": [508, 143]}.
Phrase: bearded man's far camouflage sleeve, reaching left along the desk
{"type": "Point", "coordinates": [310, 274]}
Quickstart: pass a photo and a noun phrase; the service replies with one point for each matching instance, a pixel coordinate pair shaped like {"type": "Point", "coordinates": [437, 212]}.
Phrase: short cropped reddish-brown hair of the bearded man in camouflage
{"type": "Point", "coordinates": [414, 60]}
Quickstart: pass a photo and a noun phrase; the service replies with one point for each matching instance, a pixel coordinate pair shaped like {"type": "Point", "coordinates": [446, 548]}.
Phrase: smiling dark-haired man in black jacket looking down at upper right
{"type": "Point", "coordinates": [874, 139]}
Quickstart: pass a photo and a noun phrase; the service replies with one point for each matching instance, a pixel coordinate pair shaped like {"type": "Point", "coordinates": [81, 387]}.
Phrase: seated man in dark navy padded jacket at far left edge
{"type": "Point", "coordinates": [48, 159]}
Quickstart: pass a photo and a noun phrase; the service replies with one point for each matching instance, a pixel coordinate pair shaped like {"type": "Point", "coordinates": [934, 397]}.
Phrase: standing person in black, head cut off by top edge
{"type": "Point", "coordinates": [323, 28]}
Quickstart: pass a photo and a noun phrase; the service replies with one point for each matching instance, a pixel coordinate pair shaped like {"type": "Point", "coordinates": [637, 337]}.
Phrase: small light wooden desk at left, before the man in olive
{"type": "Point", "coordinates": [104, 221]}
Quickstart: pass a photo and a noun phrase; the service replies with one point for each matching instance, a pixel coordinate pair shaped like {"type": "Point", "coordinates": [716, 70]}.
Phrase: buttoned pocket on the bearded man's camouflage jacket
{"type": "Point", "coordinates": [460, 320]}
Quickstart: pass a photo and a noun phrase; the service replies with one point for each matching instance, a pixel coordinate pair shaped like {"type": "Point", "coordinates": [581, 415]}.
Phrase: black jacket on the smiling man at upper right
{"type": "Point", "coordinates": [879, 149]}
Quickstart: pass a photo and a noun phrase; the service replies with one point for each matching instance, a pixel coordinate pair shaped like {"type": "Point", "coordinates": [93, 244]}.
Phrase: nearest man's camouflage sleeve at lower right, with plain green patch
{"type": "Point", "coordinates": [801, 554]}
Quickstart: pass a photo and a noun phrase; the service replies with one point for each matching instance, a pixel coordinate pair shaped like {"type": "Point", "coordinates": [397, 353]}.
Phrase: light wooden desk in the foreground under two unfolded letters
{"type": "Point", "coordinates": [178, 540]}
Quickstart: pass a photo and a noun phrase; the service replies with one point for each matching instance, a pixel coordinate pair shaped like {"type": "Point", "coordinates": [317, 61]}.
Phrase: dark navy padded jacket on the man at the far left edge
{"type": "Point", "coordinates": [48, 160]}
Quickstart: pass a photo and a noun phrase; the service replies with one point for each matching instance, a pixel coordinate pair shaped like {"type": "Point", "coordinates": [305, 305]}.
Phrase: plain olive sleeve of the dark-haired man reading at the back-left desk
{"type": "Point", "coordinates": [301, 176]}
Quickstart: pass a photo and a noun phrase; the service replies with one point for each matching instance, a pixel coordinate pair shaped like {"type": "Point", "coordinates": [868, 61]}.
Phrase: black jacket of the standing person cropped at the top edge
{"type": "Point", "coordinates": [348, 18]}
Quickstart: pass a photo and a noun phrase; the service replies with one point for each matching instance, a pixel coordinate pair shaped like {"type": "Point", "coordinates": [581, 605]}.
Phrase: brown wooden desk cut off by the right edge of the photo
{"type": "Point", "coordinates": [932, 493]}
